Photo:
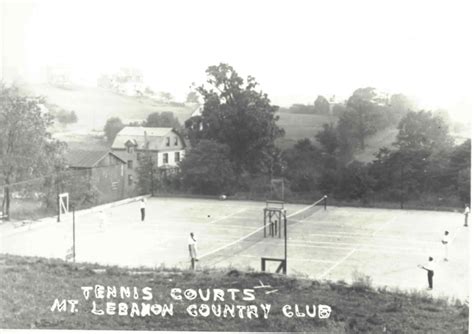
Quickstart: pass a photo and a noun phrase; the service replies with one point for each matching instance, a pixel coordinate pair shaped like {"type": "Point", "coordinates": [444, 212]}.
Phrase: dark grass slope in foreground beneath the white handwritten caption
{"type": "Point", "coordinates": [29, 287]}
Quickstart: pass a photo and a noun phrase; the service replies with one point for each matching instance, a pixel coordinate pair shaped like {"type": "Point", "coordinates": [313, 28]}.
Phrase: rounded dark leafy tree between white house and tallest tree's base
{"type": "Point", "coordinates": [207, 169]}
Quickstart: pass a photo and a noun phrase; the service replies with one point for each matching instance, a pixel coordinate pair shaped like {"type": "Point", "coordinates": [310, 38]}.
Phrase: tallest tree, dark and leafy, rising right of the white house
{"type": "Point", "coordinates": [239, 116]}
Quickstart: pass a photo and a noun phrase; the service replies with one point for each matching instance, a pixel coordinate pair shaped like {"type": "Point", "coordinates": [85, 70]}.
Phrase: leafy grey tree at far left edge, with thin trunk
{"type": "Point", "coordinates": [26, 147]}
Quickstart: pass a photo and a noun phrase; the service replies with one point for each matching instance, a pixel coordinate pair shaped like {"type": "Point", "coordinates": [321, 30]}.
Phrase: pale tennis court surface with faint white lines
{"type": "Point", "coordinates": [334, 244]}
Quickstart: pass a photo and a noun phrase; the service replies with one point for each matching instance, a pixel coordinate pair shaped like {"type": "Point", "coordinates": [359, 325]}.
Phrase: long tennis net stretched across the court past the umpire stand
{"type": "Point", "coordinates": [226, 252]}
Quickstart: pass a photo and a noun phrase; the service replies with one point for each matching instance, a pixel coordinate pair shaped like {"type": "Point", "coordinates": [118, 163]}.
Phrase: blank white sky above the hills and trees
{"type": "Point", "coordinates": [296, 50]}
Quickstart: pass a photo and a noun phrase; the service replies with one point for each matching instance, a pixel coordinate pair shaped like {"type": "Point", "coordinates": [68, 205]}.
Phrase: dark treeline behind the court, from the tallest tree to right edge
{"type": "Point", "coordinates": [233, 150]}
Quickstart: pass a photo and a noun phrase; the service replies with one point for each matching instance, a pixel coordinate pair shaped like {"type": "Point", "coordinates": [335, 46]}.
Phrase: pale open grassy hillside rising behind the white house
{"type": "Point", "coordinates": [94, 105]}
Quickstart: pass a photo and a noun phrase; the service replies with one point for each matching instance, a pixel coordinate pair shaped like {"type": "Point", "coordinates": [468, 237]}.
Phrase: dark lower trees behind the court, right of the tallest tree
{"type": "Point", "coordinates": [422, 166]}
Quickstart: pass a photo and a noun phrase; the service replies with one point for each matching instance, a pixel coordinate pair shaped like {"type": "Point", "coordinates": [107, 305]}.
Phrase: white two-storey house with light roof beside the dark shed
{"type": "Point", "coordinates": [165, 147]}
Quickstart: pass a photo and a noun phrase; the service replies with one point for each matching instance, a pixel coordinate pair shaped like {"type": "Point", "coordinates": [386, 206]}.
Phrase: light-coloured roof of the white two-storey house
{"type": "Point", "coordinates": [137, 134]}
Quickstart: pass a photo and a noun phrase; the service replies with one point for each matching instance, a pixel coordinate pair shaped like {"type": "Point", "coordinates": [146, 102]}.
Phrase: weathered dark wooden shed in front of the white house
{"type": "Point", "coordinates": [104, 170]}
